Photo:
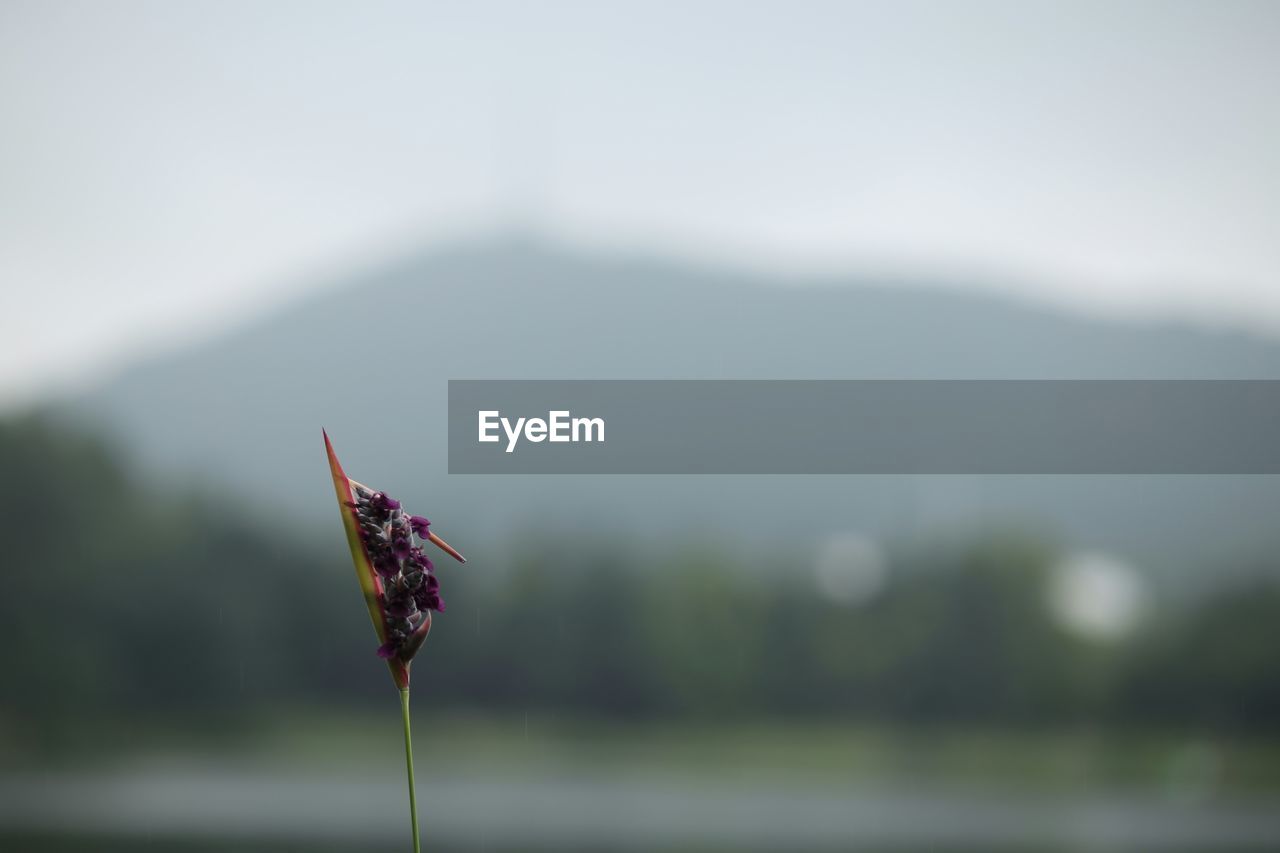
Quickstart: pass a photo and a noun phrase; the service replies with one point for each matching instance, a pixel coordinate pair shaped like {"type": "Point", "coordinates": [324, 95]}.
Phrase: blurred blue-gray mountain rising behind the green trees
{"type": "Point", "coordinates": [369, 361]}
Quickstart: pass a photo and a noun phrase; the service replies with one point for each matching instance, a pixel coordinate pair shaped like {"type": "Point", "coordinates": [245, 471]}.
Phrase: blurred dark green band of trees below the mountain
{"type": "Point", "coordinates": [125, 601]}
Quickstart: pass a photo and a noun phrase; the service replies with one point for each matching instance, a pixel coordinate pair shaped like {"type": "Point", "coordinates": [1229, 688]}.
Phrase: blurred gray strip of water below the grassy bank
{"type": "Point", "coordinates": [203, 810]}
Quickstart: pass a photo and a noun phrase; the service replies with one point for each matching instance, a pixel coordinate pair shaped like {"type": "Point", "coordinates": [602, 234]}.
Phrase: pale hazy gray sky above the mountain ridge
{"type": "Point", "coordinates": [170, 168]}
